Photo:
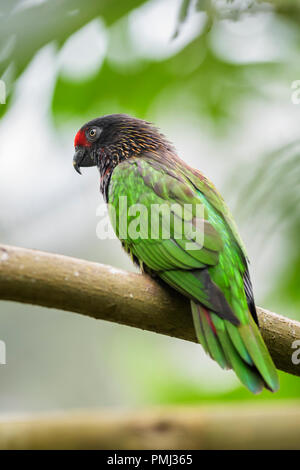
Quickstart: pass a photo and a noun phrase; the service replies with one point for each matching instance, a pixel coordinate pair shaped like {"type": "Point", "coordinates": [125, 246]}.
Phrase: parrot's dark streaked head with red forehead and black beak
{"type": "Point", "coordinates": [106, 141]}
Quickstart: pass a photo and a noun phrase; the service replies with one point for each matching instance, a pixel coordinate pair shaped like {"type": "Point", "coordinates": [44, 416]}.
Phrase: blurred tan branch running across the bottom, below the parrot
{"type": "Point", "coordinates": [218, 427]}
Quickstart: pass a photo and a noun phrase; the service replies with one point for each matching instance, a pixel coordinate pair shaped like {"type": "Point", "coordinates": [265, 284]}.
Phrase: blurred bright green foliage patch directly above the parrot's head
{"type": "Point", "coordinates": [186, 75]}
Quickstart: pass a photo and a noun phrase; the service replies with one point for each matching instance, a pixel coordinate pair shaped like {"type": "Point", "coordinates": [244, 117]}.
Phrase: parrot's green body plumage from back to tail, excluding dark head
{"type": "Point", "coordinates": [212, 276]}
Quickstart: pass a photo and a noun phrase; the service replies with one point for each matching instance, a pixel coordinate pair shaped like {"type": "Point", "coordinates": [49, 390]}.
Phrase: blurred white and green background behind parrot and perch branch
{"type": "Point", "coordinates": [217, 78]}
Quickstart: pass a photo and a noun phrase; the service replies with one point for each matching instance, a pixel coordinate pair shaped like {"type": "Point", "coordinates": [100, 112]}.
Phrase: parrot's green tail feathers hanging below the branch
{"type": "Point", "coordinates": [238, 347]}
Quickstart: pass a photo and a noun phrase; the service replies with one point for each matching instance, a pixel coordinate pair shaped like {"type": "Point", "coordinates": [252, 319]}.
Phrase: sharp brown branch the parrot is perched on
{"type": "Point", "coordinates": [106, 293]}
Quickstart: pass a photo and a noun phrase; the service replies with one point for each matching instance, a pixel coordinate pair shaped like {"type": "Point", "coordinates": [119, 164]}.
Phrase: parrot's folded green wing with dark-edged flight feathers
{"type": "Point", "coordinates": [179, 259]}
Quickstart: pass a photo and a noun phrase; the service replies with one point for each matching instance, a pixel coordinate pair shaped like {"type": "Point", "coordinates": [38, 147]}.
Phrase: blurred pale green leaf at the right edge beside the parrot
{"type": "Point", "coordinates": [271, 199]}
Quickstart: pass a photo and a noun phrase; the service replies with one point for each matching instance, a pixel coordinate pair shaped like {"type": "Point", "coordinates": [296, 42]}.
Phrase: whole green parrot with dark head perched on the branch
{"type": "Point", "coordinates": [202, 255]}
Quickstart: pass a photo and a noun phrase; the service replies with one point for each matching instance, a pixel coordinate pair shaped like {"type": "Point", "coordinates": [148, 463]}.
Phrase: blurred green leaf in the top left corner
{"type": "Point", "coordinates": [52, 20]}
